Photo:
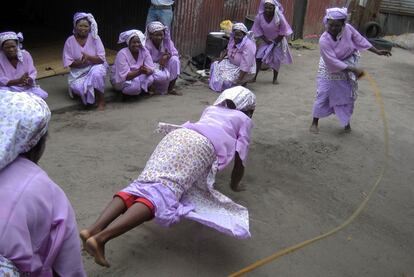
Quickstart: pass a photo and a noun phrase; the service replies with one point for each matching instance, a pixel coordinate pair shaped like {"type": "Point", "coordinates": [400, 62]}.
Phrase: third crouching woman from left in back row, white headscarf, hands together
{"type": "Point", "coordinates": [133, 69]}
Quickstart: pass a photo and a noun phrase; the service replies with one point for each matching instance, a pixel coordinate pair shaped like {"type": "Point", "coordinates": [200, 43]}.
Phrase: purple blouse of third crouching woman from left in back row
{"type": "Point", "coordinates": [125, 62]}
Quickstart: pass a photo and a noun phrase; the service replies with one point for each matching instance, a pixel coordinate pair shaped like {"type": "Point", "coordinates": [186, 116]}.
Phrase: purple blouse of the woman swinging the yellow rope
{"type": "Point", "coordinates": [334, 52]}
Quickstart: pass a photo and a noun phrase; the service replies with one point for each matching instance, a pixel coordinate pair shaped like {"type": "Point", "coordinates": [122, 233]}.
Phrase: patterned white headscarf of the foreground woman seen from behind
{"type": "Point", "coordinates": [24, 119]}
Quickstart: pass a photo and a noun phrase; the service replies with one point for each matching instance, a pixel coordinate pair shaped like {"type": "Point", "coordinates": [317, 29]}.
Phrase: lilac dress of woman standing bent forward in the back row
{"type": "Point", "coordinates": [272, 54]}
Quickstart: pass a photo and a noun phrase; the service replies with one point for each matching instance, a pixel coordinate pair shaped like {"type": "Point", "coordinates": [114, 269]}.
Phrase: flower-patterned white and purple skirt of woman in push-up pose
{"type": "Point", "coordinates": [179, 180]}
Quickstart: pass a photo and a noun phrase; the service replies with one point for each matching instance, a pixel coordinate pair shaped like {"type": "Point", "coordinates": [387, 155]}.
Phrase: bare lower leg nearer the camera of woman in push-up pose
{"type": "Point", "coordinates": [134, 216]}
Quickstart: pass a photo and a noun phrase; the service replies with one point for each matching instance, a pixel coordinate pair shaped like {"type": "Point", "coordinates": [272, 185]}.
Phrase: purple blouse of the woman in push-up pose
{"type": "Point", "coordinates": [228, 130]}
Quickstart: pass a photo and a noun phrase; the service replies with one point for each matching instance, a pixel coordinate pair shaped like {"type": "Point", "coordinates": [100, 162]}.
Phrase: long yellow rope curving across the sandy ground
{"type": "Point", "coordinates": [354, 215]}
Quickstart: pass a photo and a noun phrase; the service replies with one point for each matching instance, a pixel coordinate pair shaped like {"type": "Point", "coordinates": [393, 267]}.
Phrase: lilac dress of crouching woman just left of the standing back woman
{"type": "Point", "coordinates": [240, 57]}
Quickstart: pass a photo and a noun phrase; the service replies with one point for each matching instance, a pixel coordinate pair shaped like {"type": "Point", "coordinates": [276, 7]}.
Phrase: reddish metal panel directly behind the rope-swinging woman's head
{"type": "Point", "coordinates": [315, 13]}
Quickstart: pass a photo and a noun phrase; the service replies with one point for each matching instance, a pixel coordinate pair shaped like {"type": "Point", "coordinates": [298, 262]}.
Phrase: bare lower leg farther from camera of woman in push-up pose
{"type": "Point", "coordinates": [114, 209]}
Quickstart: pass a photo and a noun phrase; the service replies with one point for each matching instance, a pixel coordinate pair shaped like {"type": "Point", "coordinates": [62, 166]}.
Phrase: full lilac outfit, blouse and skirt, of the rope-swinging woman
{"type": "Point", "coordinates": [336, 88]}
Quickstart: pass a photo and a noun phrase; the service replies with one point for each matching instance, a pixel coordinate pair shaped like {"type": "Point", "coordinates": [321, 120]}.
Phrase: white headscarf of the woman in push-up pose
{"type": "Point", "coordinates": [242, 97]}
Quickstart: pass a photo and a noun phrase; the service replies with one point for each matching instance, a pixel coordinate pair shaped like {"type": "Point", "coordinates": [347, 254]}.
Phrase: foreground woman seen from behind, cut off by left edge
{"type": "Point", "coordinates": [38, 232]}
